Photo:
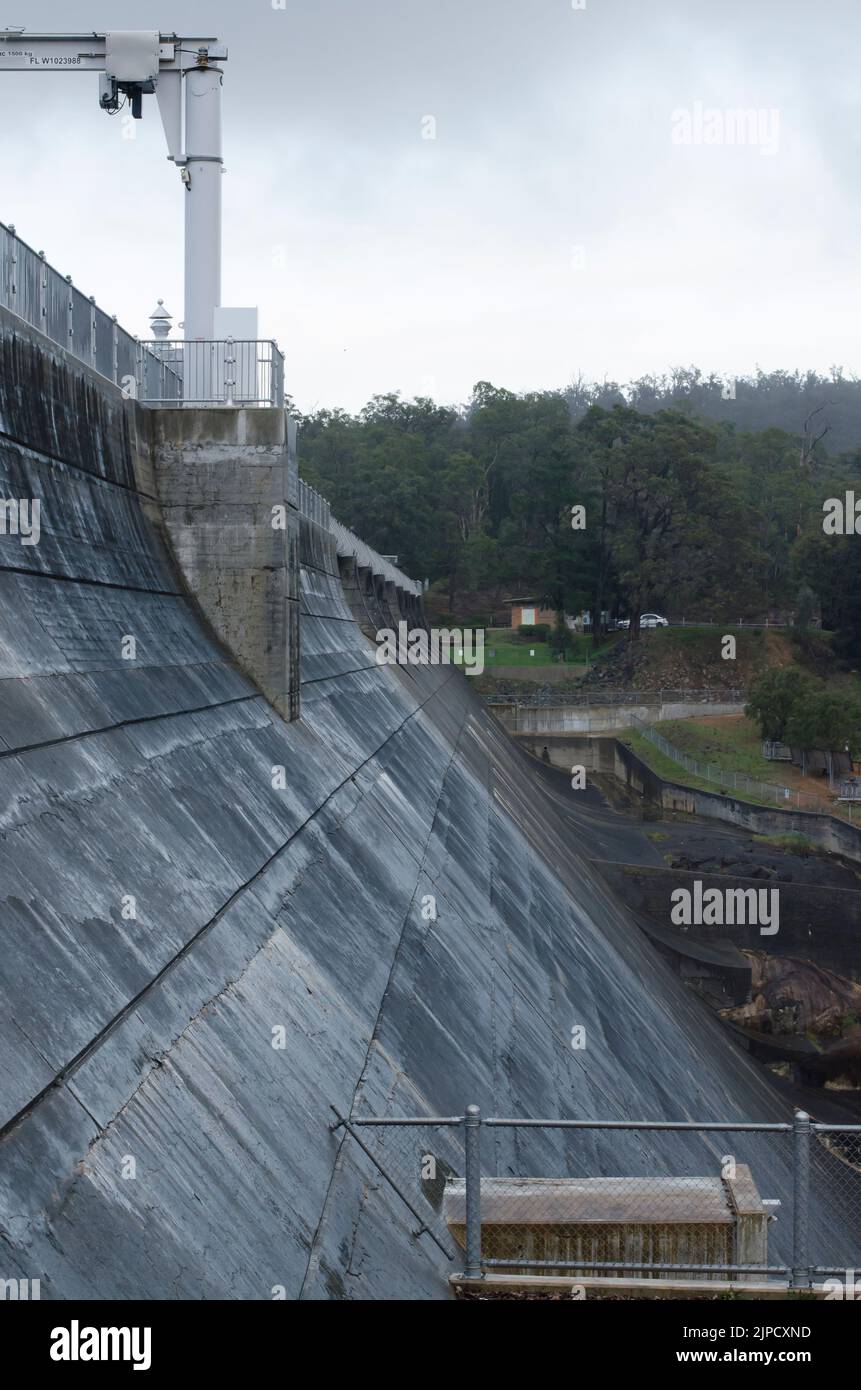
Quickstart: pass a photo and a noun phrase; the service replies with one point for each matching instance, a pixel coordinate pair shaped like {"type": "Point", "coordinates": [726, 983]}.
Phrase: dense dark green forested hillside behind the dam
{"type": "Point", "coordinates": [666, 496]}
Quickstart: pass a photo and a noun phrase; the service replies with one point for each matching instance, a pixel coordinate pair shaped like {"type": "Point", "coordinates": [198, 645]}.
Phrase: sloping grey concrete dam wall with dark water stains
{"type": "Point", "coordinates": [187, 876]}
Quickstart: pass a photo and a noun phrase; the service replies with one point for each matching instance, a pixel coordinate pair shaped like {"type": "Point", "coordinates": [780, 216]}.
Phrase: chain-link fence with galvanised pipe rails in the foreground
{"type": "Point", "coordinates": [753, 1203]}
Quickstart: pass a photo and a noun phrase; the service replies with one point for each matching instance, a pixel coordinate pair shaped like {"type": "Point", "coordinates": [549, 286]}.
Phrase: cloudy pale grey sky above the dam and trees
{"type": "Point", "coordinates": [556, 226]}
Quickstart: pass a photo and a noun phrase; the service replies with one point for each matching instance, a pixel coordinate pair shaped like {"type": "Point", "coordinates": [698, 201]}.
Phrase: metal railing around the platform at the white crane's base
{"type": "Point", "coordinates": [230, 372]}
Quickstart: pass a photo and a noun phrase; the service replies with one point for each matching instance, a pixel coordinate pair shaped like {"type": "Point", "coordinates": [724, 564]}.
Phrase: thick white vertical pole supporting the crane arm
{"type": "Point", "coordinates": [202, 199]}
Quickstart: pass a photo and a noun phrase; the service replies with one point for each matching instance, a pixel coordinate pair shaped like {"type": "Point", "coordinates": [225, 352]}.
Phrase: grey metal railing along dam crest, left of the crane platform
{"type": "Point", "coordinates": [48, 301]}
